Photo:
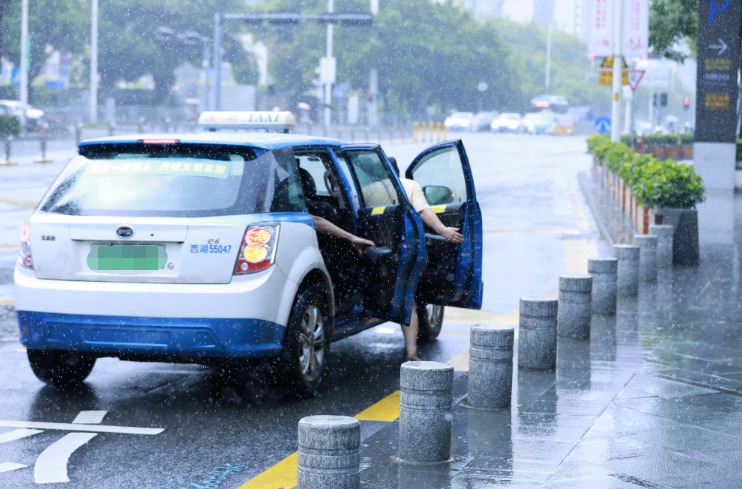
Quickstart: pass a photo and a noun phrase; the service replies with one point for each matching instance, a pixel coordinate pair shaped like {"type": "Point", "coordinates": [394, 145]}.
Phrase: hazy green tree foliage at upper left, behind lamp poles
{"type": "Point", "coordinates": [130, 44]}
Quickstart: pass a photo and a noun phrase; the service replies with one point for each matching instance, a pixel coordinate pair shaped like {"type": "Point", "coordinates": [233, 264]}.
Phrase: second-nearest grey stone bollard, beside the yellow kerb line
{"type": "Point", "coordinates": [425, 416]}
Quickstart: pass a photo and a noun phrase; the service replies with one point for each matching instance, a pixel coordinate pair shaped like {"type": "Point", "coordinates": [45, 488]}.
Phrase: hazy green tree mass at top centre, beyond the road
{"type": "Point", "coordinates": [426, 53]}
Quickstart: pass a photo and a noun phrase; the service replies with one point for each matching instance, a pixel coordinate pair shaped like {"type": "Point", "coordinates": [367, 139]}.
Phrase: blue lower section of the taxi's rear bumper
{"type": "Point", "coordinates": [135, 335]}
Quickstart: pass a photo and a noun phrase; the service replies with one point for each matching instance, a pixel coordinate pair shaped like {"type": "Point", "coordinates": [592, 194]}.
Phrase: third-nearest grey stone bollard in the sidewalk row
{"type": "Point", "coordinates": [491, 366]}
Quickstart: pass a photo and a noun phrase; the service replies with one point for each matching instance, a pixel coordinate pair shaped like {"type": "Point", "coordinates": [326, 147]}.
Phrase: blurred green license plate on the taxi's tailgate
{"type": "Point", "coordinates": [127, 257]}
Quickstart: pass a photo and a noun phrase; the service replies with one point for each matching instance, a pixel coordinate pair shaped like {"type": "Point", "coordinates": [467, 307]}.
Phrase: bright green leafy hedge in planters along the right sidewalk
{"type": "Point", "coordinates": [652, 182]}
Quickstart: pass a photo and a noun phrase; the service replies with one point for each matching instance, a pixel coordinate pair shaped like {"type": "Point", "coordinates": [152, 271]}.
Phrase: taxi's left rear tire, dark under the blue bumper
{"type": "Point", "coordinates": [60, 368]}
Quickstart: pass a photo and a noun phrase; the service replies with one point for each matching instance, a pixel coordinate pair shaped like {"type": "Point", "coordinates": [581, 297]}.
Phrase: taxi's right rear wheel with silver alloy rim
{"type": "Point", "coordinates": [307, 342]}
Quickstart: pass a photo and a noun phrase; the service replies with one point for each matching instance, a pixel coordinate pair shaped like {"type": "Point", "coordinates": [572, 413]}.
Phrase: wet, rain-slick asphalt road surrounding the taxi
{"type": "Point", "coordinates": [211, 429]}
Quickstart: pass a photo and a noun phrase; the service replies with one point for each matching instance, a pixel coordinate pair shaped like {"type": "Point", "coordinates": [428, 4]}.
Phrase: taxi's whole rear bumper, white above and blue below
{"type": "Point", "coordinates": [243, 319]}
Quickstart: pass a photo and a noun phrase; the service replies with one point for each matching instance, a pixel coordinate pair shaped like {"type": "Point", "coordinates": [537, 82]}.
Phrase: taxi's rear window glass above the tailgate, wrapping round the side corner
{"type": "Point", "coordinates": [183, 180]}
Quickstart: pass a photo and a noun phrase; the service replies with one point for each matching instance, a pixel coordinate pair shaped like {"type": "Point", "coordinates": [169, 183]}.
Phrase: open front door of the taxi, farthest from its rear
{"type": "Point", "coordinates": [453, 276]}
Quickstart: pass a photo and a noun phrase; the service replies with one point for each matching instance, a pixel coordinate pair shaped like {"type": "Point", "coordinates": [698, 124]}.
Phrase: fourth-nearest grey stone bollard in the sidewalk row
{"type": "Point", "coordinates": [537, 341]}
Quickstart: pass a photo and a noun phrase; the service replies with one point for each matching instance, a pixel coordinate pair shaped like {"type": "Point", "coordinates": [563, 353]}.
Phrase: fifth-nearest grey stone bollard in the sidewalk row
{"type": "Point", "coordinates": [575, 306]}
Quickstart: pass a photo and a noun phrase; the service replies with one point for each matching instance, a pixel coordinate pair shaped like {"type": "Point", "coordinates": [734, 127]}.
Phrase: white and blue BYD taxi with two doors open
{"type": "Point", "coordinates": [201, 248]}
